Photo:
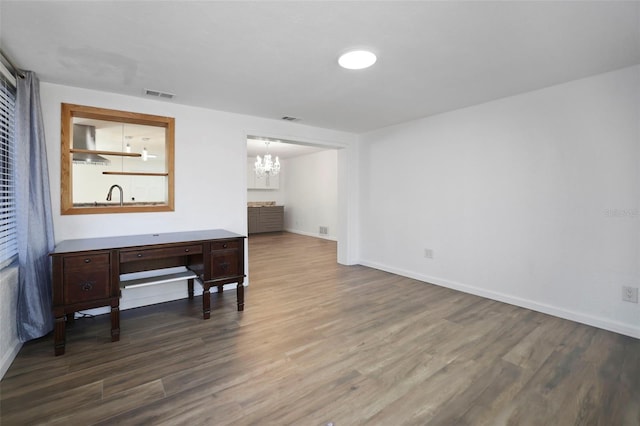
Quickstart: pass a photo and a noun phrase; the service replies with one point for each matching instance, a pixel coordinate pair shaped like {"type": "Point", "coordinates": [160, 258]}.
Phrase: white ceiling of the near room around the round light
{"type": "Point", "coordinates": [274, 59]}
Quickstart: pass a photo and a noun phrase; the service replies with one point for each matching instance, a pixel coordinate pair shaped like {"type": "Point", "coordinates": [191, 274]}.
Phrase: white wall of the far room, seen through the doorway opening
{"type": "Point", "coordinates": [311, 193]}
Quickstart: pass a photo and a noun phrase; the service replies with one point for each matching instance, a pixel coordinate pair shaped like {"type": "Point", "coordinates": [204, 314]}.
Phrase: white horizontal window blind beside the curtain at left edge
{"type": "Point", "coordinates": [8, 232]}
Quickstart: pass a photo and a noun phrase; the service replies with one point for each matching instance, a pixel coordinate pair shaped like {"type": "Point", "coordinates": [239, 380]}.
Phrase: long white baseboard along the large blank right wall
{"type": "Point", "coordinates": [599, 322]}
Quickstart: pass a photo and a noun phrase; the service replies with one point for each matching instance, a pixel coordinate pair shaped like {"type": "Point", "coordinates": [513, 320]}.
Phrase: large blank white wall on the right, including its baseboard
{"type": "Point", "coordinates": [531, 199]}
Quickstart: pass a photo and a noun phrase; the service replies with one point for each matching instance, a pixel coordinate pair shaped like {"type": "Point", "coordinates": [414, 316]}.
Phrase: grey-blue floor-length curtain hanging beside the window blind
{"type": "Point", "coordinates": [34, 221]}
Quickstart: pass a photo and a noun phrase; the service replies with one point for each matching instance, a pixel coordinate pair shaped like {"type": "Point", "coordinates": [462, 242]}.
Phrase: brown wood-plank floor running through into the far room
{"type": "Point", "coordinates": [319, 343]}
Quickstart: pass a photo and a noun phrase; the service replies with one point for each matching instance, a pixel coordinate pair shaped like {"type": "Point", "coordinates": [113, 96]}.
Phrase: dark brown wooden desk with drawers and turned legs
{"type": "Point", "coordinates": [86, 272]}
